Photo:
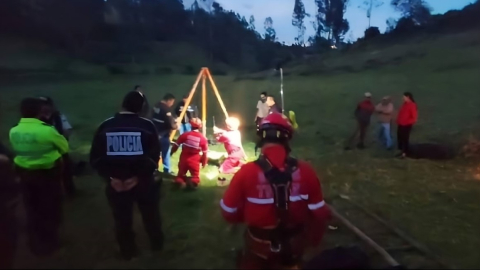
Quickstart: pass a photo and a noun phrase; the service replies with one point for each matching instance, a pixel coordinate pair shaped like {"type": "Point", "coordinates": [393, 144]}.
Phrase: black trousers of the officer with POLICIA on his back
{"type": "Point", "coordinates": [147, 196]}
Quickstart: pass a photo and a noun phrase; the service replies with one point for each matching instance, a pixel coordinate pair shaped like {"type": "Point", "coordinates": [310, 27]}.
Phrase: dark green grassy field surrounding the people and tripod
{"type": "Point", "coordinates": [436, 202]}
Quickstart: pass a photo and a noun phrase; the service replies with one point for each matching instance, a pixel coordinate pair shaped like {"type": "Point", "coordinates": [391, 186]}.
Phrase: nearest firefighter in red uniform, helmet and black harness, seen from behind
{"type": "Point", "coordinates": [279, 199]}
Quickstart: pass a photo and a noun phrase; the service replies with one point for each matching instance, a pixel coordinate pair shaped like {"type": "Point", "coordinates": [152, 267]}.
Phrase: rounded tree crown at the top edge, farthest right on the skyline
{"type": "Point", "coordinates": [417, 10]}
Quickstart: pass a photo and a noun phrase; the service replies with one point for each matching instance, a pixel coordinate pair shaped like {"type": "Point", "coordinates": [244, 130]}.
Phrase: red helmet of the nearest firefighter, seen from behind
{"type": "Point", "coordinates": [276, 126]}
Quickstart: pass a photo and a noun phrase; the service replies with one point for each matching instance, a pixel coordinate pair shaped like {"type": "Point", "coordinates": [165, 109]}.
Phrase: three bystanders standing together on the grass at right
{"type": "Point", "coordinates": [407, 117]}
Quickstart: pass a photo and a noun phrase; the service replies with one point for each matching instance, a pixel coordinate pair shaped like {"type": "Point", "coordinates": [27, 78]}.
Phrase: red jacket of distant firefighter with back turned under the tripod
{"type": "Point", "coordinates": [193, 143]}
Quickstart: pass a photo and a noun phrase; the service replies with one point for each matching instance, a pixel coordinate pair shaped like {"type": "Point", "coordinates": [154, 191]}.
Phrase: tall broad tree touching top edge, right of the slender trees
{"type": "Point", "coordinates": [330, 19]}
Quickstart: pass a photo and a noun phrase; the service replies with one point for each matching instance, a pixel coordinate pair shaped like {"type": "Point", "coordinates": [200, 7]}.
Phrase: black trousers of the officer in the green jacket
{"type": "Point", "coordinates": [42, 195]}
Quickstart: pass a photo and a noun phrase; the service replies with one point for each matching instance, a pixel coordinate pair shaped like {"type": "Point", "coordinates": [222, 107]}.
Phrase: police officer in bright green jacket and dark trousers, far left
{"type": "Point", "coordinates": [39, 149]}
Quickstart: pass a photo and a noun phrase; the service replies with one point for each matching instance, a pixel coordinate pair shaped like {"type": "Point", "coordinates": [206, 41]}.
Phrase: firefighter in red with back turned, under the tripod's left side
{"type": "Point", "coordinates": [190, 159]}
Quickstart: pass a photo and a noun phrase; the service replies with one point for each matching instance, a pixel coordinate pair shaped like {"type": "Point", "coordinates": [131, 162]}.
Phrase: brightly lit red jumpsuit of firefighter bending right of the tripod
{"type": "Point", "coordinates": [232, 140]}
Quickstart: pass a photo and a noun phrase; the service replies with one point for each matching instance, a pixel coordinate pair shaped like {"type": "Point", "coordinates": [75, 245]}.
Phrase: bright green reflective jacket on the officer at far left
{"type": "Point", "coordinates": [37, 145]}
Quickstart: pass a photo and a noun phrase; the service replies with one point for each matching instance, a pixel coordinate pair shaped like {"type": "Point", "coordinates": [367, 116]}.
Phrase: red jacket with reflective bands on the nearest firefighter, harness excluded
{"type": "Point", "coordinates": [249, 198]}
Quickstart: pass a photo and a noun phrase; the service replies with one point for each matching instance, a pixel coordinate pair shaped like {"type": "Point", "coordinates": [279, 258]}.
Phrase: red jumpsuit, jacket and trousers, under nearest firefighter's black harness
{"type": "Point", "coordinates": [249, 199]}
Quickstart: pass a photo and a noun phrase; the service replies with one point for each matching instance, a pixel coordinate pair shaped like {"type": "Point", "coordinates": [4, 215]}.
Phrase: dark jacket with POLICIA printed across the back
{"type": "Point", "coordinates": [125, 146]}
